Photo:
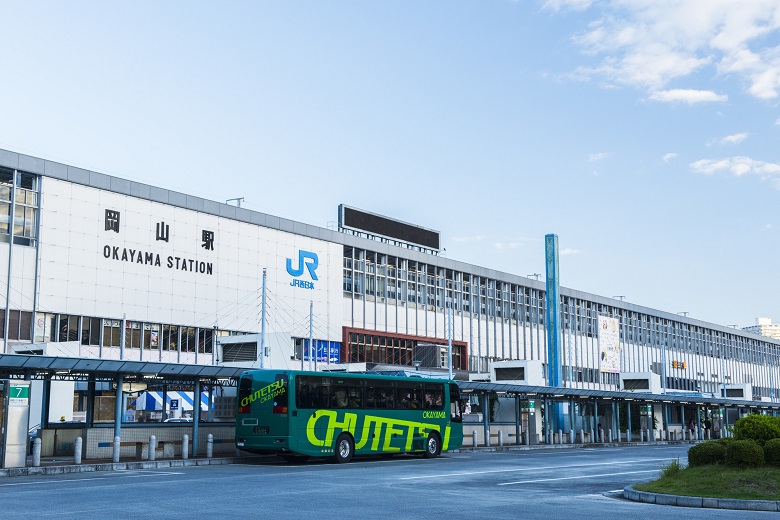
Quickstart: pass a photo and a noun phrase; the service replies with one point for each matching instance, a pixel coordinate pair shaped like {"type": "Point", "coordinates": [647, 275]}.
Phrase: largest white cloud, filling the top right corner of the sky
{"type": "Point", "coordinates": [649, 43]}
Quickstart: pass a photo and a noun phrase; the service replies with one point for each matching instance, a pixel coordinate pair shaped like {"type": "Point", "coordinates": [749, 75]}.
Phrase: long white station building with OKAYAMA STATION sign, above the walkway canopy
{"type": "Point", "coordinates": [101, 267]}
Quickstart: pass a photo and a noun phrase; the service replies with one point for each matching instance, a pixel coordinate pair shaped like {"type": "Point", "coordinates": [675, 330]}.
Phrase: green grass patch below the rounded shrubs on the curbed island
{"type": "Point", "coordinates": [718, 482]}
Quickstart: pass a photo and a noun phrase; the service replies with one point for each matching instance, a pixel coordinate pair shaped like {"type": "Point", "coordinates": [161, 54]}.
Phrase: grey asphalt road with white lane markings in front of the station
{"type": "Point", "coordinates": [549, 484]}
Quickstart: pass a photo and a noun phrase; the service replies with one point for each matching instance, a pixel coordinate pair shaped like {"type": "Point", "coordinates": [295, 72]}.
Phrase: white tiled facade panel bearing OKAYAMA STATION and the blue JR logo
{"type": "Point", "coordinates": [138, 274]}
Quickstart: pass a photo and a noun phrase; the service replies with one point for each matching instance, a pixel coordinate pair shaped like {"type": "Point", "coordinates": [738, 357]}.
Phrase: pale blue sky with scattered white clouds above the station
{"type": "Point", "coordinates": [645, 134]}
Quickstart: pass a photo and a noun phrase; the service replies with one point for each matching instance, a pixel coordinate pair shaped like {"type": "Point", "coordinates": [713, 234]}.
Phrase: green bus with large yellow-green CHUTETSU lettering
{"type": "Point", "coordinates": [300, 414]}
